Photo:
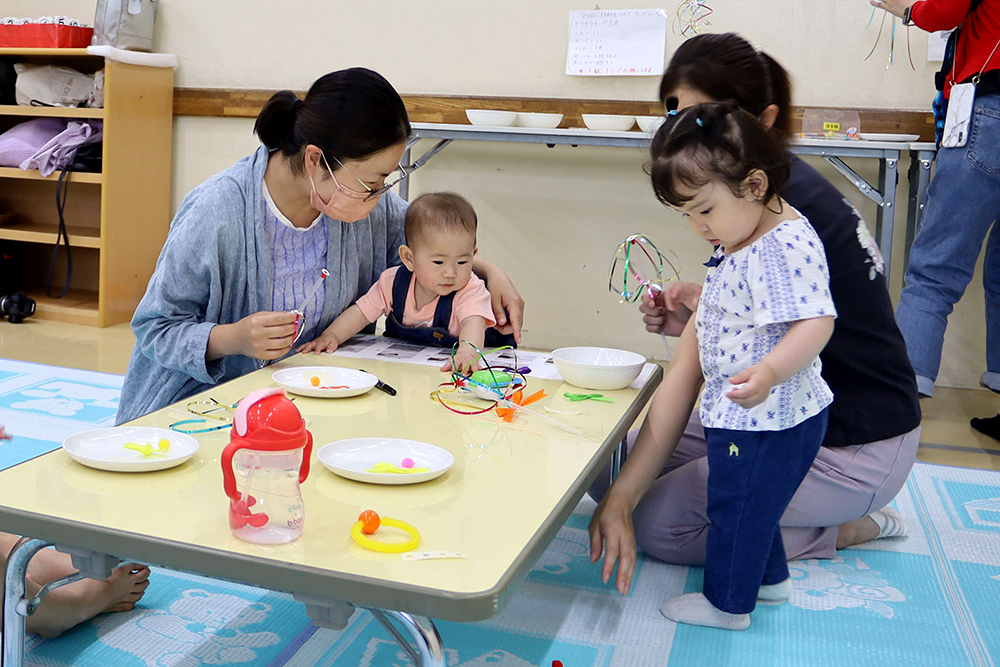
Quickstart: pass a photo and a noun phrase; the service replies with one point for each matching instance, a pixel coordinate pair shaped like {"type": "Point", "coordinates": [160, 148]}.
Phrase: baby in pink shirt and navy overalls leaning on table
{"type": "Point", "coordinates": [434, 298]}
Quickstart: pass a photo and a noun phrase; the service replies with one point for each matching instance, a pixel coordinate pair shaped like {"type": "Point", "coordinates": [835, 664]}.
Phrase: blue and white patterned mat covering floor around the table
{"type": "Point", "coordinates": [927, 599]}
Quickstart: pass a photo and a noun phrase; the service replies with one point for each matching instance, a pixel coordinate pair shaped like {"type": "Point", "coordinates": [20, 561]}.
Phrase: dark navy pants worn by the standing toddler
{"type": "Point", "coordinates": [752, 476]}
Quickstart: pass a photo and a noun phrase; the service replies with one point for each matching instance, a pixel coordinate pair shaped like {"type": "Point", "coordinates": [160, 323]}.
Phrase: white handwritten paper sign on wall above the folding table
{"type": "Point", "coordinates": [619, 42]}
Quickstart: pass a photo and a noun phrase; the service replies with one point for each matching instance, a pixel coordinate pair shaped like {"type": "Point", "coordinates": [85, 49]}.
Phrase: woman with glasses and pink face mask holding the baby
{"type": "Point", "coordinates": [267, 253]}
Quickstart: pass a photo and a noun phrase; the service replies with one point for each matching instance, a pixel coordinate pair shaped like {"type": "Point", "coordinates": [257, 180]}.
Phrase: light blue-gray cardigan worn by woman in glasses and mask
{"type": "Point", "coordinates": [215, 268]}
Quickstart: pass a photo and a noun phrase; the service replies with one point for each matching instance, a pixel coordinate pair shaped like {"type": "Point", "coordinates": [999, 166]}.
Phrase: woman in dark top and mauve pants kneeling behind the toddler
{"type": "Point", "coordinates": [874, 420]}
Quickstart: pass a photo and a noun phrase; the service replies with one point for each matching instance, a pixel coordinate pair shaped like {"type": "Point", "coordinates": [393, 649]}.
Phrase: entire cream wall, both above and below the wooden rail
{"type": "Point", "coordinates": [551, 217]}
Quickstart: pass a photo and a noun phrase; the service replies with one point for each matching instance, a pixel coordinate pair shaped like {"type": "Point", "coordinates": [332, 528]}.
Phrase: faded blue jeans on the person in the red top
{"type": "Point", "coordinates": [963, 201]}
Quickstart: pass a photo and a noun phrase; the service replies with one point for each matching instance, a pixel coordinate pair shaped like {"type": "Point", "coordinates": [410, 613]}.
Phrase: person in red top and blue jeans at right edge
{"type": "Point", "coordinates": [963, 200]}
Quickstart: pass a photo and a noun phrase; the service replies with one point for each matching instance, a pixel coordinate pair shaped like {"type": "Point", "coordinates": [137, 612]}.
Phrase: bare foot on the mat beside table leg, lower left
{"type": "Point", "coordinates": [71, 605]}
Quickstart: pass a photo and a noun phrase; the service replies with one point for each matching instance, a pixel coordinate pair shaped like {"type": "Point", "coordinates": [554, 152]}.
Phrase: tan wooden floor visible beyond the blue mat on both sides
{"type": "Point", "coordinates": [947, 437]}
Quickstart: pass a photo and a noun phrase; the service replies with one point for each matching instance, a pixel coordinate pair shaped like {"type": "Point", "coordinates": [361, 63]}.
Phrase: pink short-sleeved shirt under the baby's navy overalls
{"type": "Point", "coordinates": [472, 300]}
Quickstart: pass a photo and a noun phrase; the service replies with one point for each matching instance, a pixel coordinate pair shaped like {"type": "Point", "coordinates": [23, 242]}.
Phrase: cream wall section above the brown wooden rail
{"type": "Point", "coordinates": [515, 48]}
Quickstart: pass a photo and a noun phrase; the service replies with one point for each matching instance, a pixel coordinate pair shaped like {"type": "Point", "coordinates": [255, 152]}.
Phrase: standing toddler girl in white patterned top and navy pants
{"type": "Point", "coordinates": [761, 322]}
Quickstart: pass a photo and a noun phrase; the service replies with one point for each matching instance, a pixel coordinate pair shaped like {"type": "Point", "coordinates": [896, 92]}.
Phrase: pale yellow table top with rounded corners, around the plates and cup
{"type": "Point", "coordinates": [511, 488]}
